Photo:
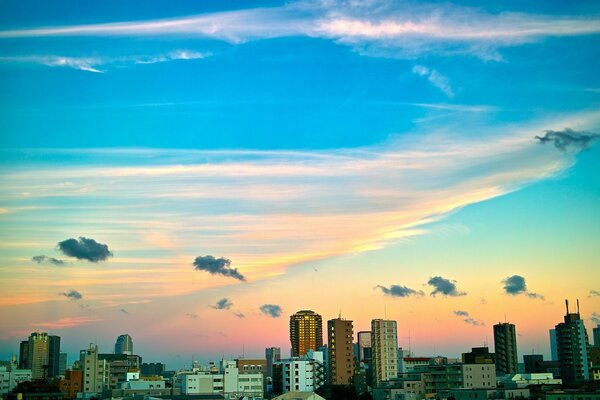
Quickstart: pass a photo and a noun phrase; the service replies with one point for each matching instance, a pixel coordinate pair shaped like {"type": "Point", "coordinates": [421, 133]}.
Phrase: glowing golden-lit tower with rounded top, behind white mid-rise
{"type": "Point", "coordinates": [306, 332]}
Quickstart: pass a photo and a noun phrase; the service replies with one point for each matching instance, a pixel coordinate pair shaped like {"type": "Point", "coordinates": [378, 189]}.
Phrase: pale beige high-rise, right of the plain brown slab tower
{"type": "Point", "coordinates": [384, 342]}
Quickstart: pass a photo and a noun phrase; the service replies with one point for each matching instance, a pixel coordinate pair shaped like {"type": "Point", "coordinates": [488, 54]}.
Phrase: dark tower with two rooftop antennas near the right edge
{"type": "Point", "coordinates": [572, 348]}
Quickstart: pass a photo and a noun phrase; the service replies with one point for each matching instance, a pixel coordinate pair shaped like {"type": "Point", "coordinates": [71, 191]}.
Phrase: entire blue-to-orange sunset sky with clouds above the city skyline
{"type": "Point", "coordinates": [193, 173]}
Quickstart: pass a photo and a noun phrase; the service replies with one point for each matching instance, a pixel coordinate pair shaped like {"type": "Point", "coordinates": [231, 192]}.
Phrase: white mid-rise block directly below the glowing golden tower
{"type": "Point", "coordinates": [303, 374]}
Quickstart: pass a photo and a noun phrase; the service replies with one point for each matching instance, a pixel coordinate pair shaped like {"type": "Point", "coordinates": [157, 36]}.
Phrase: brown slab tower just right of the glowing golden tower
{"type": "Point", "coordinates": [341, 355]}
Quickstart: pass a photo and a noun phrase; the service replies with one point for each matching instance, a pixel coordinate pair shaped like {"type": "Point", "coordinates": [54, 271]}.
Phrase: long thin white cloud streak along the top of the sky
{"type": "Point", "coordinates": [379, 28]}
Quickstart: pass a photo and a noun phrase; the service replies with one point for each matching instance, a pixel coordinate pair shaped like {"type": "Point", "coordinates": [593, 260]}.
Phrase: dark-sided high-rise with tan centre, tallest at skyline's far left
{"type": "Point", "coordinates": [41, 354]}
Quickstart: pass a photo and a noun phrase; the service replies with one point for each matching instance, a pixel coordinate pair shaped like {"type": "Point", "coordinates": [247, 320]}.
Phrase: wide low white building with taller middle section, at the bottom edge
{"type": "Point", "coordinates": [227, 381]}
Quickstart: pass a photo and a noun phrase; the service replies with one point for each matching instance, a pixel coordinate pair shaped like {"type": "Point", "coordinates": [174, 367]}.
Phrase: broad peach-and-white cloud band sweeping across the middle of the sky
{"type": "Point", "coordinates": [290, 211]}
